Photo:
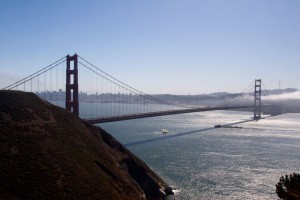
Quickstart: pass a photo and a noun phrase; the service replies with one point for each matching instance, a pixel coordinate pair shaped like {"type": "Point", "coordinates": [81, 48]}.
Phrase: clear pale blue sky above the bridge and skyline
{"type": "Point", "coordinates": [158, 46]}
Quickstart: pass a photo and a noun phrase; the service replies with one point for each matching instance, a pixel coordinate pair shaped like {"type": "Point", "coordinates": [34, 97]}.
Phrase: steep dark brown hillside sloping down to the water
{"type": "Point", "coordinates": [48, 153]}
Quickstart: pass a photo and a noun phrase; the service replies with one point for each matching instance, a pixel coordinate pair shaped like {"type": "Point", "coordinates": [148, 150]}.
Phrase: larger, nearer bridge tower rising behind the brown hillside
{"type": "Point", "coordinates": [72, 103]}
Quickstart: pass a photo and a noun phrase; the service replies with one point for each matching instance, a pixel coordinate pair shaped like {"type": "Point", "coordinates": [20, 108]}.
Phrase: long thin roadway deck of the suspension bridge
{"type": "Point", "coordinates": [161, 113]}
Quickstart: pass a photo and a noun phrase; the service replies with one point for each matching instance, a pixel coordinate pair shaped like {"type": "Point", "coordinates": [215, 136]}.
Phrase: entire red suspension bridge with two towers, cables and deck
{"type": "Point", "coordinates": [79, 86]}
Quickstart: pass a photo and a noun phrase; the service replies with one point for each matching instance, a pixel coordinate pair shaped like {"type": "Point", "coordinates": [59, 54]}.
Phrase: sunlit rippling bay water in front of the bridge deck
{"type": "Point", "coordinates": [202, 162]}
